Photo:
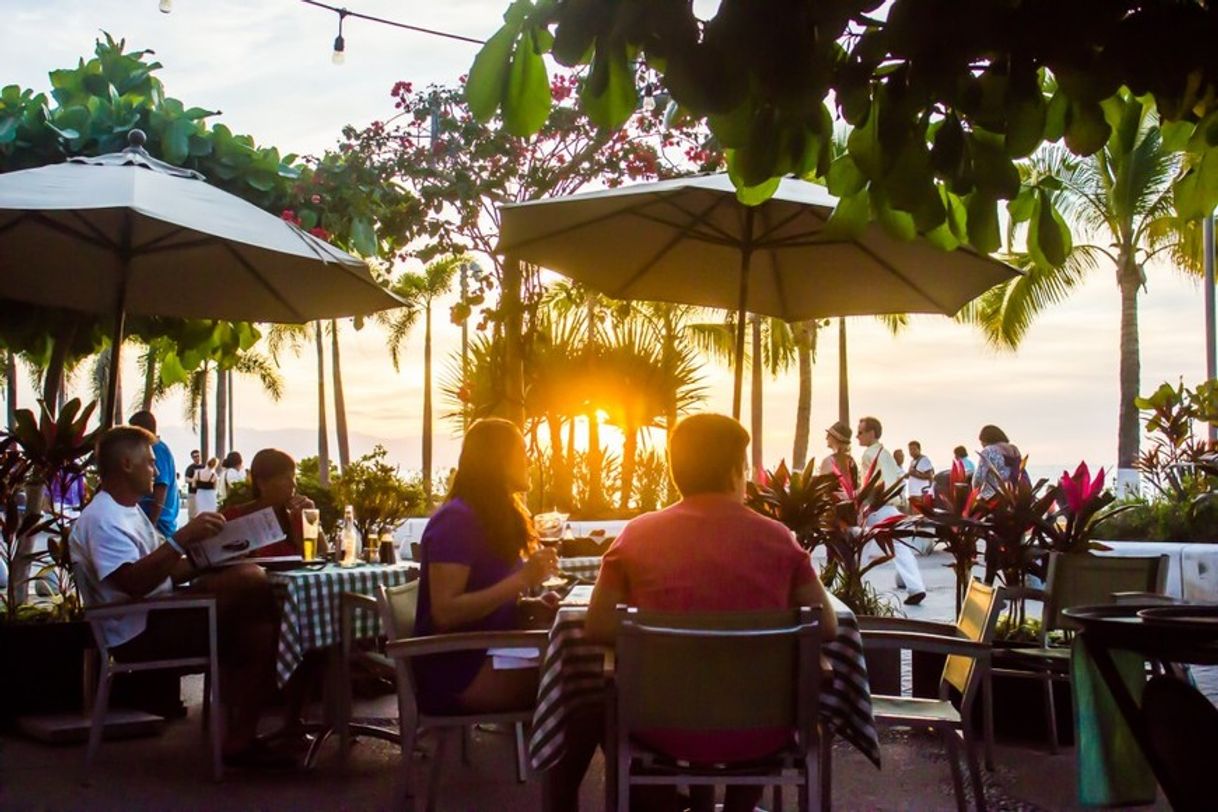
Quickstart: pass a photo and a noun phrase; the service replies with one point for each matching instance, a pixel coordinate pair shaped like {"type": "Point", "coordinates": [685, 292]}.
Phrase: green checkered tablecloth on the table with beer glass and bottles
{"type": "Point", "coordinates": [309, 602]}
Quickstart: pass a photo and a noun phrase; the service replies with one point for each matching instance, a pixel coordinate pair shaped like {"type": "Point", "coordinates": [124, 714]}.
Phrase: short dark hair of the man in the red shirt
{"type": "Point", "coordinates": [705, 453]}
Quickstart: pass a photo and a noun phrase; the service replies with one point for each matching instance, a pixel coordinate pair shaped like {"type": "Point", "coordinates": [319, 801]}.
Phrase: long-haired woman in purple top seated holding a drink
{"type": "Point", "coordinates": [479, 556]}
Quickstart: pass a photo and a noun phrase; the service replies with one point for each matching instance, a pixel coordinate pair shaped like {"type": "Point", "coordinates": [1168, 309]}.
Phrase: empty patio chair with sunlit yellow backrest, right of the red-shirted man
{"type": "Point", "coordinates": [968, 670]}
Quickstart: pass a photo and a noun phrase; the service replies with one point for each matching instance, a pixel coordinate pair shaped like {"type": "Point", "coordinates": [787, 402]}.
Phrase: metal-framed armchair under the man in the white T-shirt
{"type": "Point", "coordinates": [208, 665]}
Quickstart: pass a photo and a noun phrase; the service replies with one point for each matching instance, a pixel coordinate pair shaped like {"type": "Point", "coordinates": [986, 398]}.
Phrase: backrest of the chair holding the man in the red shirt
{"type": "Point", "coordinates": [719, 671]}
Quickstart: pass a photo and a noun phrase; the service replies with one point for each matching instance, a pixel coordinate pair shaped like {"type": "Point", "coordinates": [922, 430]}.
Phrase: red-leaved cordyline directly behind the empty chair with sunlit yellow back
{"type": "Point", "coordinates": [956, 517]}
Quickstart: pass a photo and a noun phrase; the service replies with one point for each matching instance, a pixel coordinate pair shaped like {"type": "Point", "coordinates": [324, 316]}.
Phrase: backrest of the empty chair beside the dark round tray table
{"type": "Point", "coordinates": [1083, 580]}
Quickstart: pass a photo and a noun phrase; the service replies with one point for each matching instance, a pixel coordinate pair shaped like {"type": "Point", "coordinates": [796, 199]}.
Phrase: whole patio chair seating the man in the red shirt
{"type": "Point", "coordinates": [729, 671]}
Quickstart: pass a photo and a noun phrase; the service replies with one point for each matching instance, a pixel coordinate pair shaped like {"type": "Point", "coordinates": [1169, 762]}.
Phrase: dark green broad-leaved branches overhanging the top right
{"type": "Point", "coordinates": [940, 114]}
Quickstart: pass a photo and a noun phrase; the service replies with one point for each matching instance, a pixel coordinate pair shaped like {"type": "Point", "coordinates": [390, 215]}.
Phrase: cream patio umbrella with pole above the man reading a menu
{"type": "Point", "coordinates": [126, 233]}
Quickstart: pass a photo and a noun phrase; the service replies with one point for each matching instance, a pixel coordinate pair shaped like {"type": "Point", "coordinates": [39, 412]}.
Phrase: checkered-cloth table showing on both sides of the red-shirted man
{"type": "Point", "coordinates": [573, 677]}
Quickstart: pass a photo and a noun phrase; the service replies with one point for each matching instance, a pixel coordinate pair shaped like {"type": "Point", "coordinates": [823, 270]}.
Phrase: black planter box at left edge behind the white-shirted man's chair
{"type": "Point", "coordinates": [43, 669]}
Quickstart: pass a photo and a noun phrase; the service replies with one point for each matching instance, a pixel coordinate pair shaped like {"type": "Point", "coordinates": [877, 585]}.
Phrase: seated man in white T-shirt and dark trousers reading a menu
{"type": "Point", "coordinates": [120, 556]}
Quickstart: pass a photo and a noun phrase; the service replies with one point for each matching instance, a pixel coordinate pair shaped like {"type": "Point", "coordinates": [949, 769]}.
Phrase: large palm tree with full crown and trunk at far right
{"type": "Point", "coordinates": [1119, 200]}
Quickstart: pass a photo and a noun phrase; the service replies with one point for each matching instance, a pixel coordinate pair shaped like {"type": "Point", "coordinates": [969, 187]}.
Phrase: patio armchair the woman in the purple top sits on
{"type": "Point", "coordinates": [396, 608]}
